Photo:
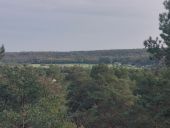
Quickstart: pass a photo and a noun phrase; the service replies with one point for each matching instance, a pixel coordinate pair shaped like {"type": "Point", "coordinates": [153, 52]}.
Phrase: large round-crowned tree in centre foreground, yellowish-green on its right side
{"type": "Point", "coordinates": [101, 100]}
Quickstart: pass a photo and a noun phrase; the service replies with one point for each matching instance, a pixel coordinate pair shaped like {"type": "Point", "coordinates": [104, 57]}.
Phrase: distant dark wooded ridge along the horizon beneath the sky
{"type": "Point", "coordinates": [137, 57]}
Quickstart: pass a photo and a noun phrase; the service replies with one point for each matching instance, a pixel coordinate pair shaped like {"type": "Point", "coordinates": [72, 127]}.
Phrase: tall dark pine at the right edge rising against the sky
{"type": "Point", "coordinates": [161, 50]}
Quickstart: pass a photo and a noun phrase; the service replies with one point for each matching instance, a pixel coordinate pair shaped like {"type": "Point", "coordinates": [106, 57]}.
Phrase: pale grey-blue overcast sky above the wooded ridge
{"type": "Point", "coordinates": [74, 25]}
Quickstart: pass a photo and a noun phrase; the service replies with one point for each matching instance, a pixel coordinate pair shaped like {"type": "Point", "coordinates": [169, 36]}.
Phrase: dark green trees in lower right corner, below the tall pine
{"type": "Point", "coordinates": [152, 108]}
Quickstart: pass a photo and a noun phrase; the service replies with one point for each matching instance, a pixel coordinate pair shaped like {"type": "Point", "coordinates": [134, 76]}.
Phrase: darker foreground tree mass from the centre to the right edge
{"type": "Point", "coordinates": [118, 97]}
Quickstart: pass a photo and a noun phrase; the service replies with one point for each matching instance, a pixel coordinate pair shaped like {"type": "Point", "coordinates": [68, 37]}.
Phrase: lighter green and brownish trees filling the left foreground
{"type": "Point", "coordinates": [32, 98]}
